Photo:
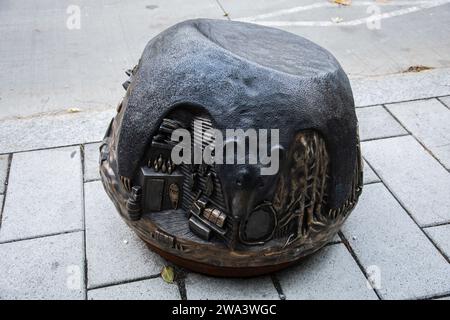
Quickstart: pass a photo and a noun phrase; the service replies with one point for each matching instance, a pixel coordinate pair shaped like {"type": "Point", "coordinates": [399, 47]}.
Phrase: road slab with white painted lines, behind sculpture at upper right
{"type": "Point", "coordinates": [409, 33]}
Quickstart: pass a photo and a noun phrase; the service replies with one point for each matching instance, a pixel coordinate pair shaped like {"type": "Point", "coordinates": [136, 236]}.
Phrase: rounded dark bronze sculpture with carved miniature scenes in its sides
{"type": "Point", "coordinates": [228, 219]}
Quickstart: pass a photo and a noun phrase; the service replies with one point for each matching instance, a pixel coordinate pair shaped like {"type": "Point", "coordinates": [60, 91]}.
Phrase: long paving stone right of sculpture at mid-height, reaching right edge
{"type": "Point", "coordinates": [417, 180]}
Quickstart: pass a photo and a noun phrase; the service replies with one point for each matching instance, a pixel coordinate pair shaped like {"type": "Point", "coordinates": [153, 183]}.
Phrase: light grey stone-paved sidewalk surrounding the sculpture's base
{"type": "Point", "coordinates": [61, 237]}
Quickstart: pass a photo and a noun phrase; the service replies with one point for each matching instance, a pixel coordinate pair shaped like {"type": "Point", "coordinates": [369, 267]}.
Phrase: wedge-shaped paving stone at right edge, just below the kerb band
{"type": "Point", "coordinates": [428, 121]}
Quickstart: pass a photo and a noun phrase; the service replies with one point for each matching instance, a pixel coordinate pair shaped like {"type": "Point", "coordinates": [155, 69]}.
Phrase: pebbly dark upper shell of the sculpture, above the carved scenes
{"type": "Point", "coordinates": [245, 76]}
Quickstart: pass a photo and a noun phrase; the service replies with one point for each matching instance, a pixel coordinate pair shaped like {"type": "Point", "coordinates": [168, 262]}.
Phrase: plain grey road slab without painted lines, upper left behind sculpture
{"type": "Point", "coordinates": [54, 63]}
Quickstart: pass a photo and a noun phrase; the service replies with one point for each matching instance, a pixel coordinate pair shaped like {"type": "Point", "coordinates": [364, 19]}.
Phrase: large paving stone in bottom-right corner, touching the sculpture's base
{"type": "Point", "coordinates": [385, 239]}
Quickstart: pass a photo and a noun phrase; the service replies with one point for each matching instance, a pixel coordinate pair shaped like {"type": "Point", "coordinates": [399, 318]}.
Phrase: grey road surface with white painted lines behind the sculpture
{"type": "Point", "coordinates": [49, 67]}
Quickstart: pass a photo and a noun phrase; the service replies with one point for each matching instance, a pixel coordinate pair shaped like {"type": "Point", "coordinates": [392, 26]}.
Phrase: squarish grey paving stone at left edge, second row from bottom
{"type": "Point", "coordinates": [44, 194]}
